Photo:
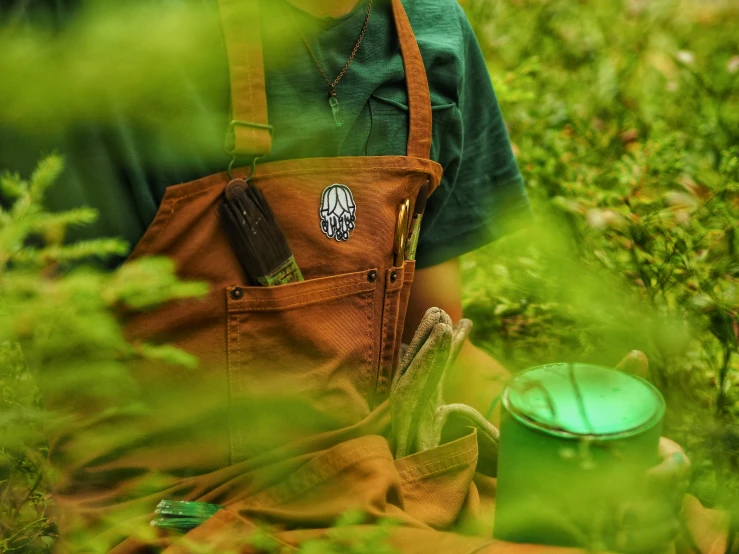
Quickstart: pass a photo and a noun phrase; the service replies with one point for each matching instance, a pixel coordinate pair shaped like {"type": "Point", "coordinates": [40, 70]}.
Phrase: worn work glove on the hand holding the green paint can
{"type": "Point", "coordinates": [653, 524]}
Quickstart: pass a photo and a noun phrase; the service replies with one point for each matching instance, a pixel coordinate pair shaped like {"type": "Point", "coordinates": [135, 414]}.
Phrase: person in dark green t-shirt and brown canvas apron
{"type": "Point", "coordinates": [380, 97]}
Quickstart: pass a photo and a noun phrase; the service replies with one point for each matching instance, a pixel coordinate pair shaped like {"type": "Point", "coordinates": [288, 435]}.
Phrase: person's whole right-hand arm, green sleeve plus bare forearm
{"type": "Point", "coordinates": [481, 197]}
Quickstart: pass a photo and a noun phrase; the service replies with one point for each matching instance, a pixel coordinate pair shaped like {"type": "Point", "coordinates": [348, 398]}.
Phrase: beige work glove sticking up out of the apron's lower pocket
{"type": "Point", "coordinates": [421, 418]}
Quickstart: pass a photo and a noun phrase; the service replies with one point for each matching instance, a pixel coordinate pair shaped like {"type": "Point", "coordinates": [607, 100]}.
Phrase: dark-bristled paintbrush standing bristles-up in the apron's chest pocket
{"type": "Point", "coordinates": [256, 237]}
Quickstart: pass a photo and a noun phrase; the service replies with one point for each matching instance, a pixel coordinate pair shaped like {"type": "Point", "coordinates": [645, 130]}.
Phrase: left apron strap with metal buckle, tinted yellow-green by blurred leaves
{"type": "Point", "coordinates": [249, 134]}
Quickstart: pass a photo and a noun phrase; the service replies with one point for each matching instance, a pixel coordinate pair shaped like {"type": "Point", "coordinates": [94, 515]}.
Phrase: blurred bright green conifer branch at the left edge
{"type": "Point", "coordinates": [56, 319]}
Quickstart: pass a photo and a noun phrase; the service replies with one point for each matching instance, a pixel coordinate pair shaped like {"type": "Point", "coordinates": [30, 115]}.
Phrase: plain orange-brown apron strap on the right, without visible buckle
{"type": "Point", "coordinates": [419, 97]}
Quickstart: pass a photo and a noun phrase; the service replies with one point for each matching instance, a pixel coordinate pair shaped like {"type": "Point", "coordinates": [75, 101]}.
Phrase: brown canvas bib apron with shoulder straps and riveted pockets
{"type": "Point", "coordinates": [319, 354]}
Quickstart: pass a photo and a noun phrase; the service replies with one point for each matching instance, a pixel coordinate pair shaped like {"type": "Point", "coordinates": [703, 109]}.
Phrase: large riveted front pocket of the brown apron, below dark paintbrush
{"type": "Point", "coordinates": [301, 359]}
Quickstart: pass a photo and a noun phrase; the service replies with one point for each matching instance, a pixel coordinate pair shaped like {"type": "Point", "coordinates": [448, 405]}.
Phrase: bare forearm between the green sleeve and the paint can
{"type": "Point", "coordinates": [476, 378]}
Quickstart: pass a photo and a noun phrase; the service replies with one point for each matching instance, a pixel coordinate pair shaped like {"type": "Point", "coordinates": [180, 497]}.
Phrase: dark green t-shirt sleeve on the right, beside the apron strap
{"type": "Point", "coordinates": [482, 195]}
